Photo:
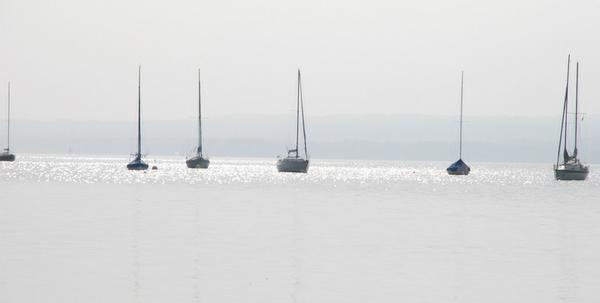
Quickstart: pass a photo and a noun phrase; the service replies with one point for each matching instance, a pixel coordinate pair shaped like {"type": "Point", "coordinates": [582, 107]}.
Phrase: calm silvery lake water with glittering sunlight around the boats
{"type": "Point", "coordinates": [84, 229]}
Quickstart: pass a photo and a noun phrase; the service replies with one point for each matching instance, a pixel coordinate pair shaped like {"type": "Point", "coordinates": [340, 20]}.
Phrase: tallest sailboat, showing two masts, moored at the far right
{"type": "Point", "coordinates": [571, 168]}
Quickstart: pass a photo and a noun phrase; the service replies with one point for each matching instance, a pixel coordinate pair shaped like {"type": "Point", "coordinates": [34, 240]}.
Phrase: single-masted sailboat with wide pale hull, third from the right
{"type": "Point", "coordinates": [294, 162]}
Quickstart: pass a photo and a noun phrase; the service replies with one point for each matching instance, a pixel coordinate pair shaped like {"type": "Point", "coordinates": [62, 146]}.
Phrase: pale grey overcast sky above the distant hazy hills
{"type": "Point", "coordinates": [77, 59]}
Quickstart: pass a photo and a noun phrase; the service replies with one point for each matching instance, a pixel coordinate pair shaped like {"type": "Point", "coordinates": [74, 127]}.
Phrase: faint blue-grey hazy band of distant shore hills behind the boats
{"type": "Point", "coordinates": [394, 137]}
